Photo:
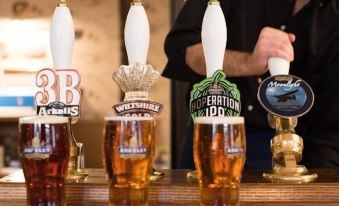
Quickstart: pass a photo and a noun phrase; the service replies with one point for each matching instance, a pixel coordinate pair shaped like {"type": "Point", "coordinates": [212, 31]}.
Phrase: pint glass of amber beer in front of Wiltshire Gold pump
{"type": "Point", "coordinates": [128, 155]}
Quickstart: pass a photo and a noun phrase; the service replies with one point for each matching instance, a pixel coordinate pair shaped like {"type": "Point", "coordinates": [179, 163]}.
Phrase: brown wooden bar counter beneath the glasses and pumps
{"type": "Point", "coordinates": [174, 189]}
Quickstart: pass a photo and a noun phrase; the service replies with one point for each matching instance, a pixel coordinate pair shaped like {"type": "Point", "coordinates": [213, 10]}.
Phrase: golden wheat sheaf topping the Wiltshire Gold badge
{"type": "Point", "coordinates": [135, 77]}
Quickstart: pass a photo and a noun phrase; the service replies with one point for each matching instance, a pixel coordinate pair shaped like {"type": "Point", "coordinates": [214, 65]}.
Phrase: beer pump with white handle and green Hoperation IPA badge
{"type": "Point", "coordinates": [214, 39]}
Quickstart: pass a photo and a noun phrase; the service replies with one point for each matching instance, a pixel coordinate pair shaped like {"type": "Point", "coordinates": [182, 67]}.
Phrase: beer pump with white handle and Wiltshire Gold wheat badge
{"type": "Point", "coordinates": [137, 78]}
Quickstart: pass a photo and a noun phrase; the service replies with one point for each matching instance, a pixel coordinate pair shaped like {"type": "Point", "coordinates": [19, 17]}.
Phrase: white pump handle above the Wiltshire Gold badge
{"type": "Point", "coordinates": [137, 34]}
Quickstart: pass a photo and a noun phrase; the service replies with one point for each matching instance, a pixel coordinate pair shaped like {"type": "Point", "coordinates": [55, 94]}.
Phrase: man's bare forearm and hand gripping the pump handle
{"type": "Point", "coordinates": [271, 43]}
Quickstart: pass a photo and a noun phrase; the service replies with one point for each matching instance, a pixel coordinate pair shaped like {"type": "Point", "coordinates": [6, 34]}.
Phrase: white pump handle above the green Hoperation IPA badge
{"type": "Point", "coordinates": [214, 37]}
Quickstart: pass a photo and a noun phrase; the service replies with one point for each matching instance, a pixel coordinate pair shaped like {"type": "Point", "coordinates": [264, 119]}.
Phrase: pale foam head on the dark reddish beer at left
{"type": "Point", "coordinates": [43, 120]}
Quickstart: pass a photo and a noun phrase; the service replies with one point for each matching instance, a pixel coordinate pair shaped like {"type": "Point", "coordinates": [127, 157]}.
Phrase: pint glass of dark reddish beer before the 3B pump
{"type": "Point", "coordinates": [44, 154]}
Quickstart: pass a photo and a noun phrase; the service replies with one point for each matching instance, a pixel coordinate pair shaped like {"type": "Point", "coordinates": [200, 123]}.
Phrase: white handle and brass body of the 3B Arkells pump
{"type": "Point", "coordinates": [61, 41]}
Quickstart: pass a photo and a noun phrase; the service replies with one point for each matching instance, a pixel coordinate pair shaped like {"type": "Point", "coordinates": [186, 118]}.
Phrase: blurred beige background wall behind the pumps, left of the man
{"type": "Point", "coordinates": [98, 51]}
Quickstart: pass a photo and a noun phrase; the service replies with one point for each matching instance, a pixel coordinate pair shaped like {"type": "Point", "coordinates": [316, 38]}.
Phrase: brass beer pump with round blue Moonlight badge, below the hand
{"type": "Point", "coordinates": [285, 97]}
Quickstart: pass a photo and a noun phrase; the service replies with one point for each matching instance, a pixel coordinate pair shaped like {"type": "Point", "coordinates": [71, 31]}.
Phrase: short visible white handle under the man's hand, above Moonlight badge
{"type": "Point", "coordinates": [278, 66]}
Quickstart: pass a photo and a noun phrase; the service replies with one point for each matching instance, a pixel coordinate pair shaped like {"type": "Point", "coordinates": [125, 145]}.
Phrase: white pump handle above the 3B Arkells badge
{"type": "Point", "coordinates": [62, 36]}
